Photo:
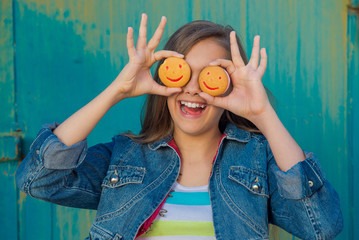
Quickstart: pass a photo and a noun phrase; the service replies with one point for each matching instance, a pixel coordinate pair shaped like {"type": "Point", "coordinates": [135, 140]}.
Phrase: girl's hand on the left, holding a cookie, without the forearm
{"type": "Point", "coordinates": [136, 79]}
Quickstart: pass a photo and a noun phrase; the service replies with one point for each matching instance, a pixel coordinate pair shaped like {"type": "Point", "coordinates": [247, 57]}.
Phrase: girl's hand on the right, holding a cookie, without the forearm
{"type": "Point", "coordinates": [248, 98]}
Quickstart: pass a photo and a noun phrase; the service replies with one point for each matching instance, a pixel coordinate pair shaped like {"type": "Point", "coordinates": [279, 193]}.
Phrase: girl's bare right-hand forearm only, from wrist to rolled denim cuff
{"type": "Point", "coordinates": [285, 149]}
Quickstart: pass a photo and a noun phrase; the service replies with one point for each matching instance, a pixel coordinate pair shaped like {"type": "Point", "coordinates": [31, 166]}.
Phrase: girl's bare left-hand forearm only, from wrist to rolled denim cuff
{"type": "Point", "coordinates": [79, 125]}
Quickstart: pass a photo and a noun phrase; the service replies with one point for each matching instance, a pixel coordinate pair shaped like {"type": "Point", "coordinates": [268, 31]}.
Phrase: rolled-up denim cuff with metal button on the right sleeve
{"type": "Point", "coordinates": [302, 180]}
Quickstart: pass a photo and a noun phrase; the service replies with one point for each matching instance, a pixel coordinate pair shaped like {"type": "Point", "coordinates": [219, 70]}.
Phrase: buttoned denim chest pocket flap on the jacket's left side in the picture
{"type": "Point", "coordinates": [121, 175]}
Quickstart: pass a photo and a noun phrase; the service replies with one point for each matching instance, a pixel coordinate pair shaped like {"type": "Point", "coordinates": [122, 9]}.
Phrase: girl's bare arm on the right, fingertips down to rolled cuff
{"type": "Point", "coordinates": [249, 99]}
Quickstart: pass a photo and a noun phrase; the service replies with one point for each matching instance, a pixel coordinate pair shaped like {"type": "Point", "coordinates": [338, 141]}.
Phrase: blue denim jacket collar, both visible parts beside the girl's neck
{"type": "Point", "coordinates": [231, 132]}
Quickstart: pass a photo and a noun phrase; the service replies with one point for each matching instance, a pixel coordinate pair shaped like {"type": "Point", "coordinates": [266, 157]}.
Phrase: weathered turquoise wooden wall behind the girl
{"type": "Point", "coordinates": [55, 56]}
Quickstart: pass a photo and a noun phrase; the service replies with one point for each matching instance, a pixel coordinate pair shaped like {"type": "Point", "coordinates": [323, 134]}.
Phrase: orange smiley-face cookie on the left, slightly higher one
{"type": "Point", "coordinates": [174, 72]}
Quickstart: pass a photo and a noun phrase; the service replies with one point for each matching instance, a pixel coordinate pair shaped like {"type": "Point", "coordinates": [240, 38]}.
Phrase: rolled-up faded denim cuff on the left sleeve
{"type": "Point", "coordinates": [54, 154]}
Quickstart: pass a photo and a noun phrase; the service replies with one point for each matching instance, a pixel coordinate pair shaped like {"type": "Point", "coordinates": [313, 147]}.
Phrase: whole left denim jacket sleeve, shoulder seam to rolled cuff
{"type": "Point", "coordinates": [69, 176]}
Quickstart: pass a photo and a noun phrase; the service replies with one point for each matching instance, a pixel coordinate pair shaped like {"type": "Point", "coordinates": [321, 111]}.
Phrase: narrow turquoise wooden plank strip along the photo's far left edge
{"type": "Point", "coordinates": [8, 201]}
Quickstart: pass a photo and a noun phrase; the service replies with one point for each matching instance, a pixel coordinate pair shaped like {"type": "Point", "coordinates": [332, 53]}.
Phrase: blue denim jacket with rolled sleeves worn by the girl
{"type": "Point", "coordinates": [247, 189]}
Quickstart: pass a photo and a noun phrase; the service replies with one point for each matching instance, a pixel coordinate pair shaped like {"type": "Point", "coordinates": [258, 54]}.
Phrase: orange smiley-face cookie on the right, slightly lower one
{"type": "Point", "coordinates": [214, 80]}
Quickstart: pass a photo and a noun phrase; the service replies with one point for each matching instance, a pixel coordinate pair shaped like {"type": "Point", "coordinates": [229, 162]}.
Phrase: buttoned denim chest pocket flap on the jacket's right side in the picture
{"type": "Point", "coordinates": [253, 180]}
